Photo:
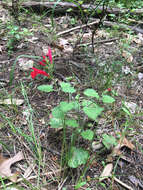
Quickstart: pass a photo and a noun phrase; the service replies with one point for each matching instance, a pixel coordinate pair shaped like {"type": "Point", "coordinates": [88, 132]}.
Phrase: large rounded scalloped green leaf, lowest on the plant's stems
{"type": "Point", "coordinates": [78, 156]}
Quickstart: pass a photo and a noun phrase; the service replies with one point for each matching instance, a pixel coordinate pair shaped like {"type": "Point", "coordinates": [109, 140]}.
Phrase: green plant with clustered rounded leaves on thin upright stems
{"type": "Point", "coordinates": [70, 115]}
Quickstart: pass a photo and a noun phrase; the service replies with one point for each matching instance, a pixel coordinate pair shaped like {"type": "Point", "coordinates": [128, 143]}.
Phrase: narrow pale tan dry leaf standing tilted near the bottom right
{"type": "Point", "coordinates": [106, 172]}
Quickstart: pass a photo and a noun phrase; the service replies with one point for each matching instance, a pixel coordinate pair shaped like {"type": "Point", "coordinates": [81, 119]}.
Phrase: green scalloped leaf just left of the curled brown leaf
{"type": "Point", "coordinates": [108, 141]}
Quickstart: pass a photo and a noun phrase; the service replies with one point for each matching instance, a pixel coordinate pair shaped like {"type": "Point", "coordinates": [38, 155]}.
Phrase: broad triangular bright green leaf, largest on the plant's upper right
{"type": "Point", "coordinates": [93, 113]}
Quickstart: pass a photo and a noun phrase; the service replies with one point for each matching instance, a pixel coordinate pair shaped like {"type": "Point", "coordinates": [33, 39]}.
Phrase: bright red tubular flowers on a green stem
{"type": "Point", "coordinates": [47, 62]}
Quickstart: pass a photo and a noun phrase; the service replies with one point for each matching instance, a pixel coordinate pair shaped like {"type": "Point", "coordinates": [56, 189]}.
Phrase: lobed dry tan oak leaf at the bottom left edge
{"type": "Point", "coordinates": [5, 165]}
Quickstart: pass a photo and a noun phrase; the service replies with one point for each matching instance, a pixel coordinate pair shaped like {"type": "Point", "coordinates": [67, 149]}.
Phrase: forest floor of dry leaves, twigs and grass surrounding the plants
{"type": "Point", "coordinates": [116, 64]}
